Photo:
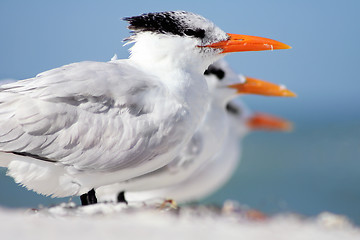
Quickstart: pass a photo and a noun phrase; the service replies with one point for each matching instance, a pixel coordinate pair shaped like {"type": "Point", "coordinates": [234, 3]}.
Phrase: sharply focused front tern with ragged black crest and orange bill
{"type": "Point", "coordinates": [75, 128]}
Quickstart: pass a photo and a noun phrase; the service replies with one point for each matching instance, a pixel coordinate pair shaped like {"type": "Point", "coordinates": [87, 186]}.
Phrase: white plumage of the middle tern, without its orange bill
{"type": "Point", "coordinates": [201, 151]}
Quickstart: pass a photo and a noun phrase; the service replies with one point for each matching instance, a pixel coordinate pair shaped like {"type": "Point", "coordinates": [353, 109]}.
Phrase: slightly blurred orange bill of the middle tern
{"type": "Point", "coordinates": [260, 87]}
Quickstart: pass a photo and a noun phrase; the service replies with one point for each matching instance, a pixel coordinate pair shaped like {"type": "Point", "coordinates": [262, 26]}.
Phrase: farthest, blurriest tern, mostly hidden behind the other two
{"type": "Point", "coordinates": [214, 175]}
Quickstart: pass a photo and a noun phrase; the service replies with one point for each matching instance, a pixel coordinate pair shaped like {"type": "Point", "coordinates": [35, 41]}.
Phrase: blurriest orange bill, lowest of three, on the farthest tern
{"type": "Point", "coordinates": [262, 121]}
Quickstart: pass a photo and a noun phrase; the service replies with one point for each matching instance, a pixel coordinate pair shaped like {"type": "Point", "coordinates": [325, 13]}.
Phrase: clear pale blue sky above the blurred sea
{"type": "Point", "coordinates": [321, 67]}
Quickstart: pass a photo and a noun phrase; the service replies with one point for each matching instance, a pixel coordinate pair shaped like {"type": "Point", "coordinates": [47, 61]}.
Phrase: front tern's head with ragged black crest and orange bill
{"type": "Point", "coordinates": [187, 37]}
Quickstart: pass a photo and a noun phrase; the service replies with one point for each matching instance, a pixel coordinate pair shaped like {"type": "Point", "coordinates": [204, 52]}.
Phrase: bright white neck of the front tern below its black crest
{"type": "Point", "coordinates": [178, 64]}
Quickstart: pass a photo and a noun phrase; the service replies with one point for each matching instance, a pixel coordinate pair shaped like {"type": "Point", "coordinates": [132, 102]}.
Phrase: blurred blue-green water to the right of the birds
{"type": "Point", "coordinates": [313, 169]}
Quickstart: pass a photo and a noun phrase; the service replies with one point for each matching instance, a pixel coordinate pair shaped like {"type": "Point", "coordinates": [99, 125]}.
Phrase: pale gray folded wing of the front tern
{"type": "Point", "coordinates": [90, 115]}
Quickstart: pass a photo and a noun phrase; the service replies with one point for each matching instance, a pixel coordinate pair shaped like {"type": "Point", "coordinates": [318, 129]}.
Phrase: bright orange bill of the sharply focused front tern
{"type": "Point", "coordinates": [242, 43]}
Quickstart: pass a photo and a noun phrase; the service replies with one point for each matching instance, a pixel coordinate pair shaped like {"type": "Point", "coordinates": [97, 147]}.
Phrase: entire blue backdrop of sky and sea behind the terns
{"type": "Point", "coordinates": [316, 168]}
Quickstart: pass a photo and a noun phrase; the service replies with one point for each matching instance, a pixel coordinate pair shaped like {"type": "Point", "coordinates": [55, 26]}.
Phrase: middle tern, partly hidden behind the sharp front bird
{"type": "Point", "coordinates": [209, 139]}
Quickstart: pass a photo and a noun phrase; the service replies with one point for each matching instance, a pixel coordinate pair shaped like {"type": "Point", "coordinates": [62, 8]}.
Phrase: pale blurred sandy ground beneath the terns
{"type": "Point", "coordinates": [153, 221]}
